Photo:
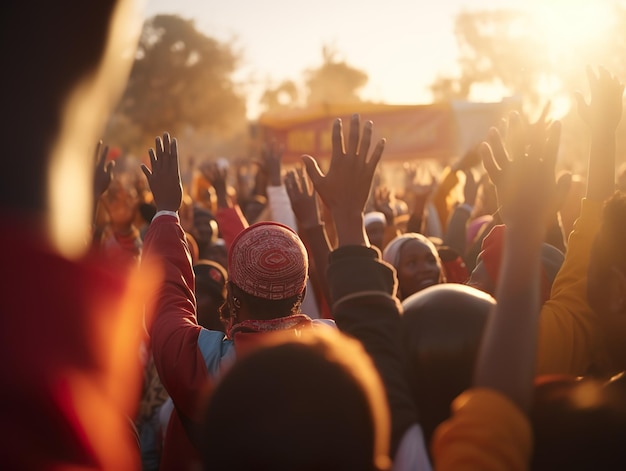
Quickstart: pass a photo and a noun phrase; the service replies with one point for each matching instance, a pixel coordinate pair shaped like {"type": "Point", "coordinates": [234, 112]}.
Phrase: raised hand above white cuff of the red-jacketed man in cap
{"type": "Point", "coordinates": [164, 176]}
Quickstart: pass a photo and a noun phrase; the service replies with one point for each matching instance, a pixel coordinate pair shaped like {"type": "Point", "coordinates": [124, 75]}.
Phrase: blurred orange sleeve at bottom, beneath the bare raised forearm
{"type": "Point", "coordinates": [486, 432]}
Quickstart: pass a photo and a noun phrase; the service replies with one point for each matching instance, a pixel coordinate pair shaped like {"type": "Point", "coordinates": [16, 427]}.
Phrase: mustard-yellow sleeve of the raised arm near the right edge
{"type": "Point", "coordinates": [567, 325]}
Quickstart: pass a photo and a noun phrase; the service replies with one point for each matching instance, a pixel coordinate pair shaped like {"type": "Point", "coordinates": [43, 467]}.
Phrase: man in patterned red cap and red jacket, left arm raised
{"type": "Point", "coordinates": [267, 267]}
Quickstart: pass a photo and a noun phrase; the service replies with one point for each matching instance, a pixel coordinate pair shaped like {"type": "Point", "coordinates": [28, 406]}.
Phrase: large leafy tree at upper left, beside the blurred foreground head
{"type": "Point", "coordinates": [180, 82]}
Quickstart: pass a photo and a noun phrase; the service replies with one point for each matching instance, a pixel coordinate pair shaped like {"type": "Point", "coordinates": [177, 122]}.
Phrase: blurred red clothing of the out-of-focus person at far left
{"type": "Point", "coordinates": [71, 371]}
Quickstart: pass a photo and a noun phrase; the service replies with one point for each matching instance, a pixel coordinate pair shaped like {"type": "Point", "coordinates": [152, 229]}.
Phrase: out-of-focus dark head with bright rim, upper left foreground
{"type": "Point", "coordinates": [69, 62]}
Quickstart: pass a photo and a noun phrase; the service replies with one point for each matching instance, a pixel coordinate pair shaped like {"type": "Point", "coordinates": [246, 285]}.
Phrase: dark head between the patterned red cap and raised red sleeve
{"type": "Point", "coordinates": [210, 293]}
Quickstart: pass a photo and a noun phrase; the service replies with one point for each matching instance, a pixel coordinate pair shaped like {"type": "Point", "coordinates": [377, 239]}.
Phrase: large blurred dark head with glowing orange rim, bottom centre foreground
{"type": "Point", "coordinates": [311, 403]}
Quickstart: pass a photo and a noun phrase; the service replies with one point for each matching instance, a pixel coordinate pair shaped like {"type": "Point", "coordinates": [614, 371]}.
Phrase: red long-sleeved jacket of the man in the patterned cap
{"type": "Point", "coordinates": [186, 356]}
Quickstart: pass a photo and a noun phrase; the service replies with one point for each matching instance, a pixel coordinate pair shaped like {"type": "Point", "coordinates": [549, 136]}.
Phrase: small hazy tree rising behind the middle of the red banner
{"type": "Point", "coordinates": [334, 81]}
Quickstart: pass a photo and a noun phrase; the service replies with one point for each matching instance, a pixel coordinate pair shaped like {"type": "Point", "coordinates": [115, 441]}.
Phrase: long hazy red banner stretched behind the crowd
{"type": "Point", "coordinates": [412, 132]}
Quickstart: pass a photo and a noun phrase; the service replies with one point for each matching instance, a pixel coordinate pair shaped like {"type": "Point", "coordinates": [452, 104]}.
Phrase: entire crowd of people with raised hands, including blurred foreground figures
{"type": "Point", "coordinates": [306, 318]}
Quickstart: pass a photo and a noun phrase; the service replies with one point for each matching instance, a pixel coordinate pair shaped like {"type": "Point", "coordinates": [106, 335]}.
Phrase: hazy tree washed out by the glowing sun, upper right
{"type": "Point", "coordinates": [526, 56]}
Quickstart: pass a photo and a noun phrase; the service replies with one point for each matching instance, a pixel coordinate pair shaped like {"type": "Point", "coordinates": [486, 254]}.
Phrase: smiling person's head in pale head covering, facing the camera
{"type": "Point", "coordinates": [416, 261]}
